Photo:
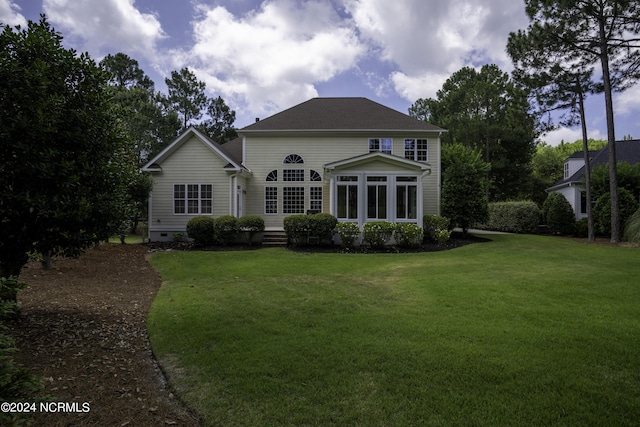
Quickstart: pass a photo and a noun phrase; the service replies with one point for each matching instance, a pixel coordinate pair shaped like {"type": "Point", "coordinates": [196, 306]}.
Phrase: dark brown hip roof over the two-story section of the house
{"type": "Point", "coordinates": [340, 114]}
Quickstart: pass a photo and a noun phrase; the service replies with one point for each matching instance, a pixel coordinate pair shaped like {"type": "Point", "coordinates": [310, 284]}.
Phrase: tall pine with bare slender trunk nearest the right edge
{"type": "Point", "coordinates": [586, 33]}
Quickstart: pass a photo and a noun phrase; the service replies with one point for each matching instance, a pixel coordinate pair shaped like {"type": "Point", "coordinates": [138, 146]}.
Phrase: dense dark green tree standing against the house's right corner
{"type": "Point", "coordinates": [464, 199]}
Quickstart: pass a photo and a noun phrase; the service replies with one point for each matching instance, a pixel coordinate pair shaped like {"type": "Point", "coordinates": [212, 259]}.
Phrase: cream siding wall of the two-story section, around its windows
{"type": "Point", "coordinates": [264, 153]}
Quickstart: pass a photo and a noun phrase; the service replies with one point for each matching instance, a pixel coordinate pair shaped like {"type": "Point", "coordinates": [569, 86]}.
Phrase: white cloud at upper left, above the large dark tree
{"type": "Point", "coordinates": [107, 26]}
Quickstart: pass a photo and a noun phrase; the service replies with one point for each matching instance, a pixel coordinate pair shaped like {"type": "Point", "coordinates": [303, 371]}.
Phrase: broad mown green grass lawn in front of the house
{"type": "Point", "coordinates": [524, 330]}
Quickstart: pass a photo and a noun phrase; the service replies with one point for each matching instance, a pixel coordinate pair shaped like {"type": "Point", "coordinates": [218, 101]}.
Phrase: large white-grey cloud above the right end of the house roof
{"type": "Point", "coordinates": [429, 40]}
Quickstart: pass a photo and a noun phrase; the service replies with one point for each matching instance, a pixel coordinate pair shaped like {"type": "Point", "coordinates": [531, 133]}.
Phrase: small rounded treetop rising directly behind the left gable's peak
{"type": "Point", "coordinates": [186, 95]}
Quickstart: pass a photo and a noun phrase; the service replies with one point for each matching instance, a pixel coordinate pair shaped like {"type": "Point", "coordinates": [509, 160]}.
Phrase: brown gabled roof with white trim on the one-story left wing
{"type": "Point", "coordinates": [228, 154]}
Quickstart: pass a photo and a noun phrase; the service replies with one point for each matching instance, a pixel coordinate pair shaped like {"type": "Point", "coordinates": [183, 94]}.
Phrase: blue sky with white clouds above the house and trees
{"type": "Point", "coordinates": [263, 56]}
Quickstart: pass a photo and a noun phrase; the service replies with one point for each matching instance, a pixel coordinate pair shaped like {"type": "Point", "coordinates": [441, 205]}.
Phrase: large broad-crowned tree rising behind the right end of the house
{"type": "Point", "coordinates": [485, 109]}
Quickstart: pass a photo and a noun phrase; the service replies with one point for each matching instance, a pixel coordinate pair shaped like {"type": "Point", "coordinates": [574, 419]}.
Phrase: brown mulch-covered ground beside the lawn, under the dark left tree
{"type": "Point", "coordinates": [83, 328]}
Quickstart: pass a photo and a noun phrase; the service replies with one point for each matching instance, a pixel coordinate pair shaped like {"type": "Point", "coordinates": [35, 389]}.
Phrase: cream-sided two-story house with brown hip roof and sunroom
{"type": "Point", "coordinates": [351, 157]}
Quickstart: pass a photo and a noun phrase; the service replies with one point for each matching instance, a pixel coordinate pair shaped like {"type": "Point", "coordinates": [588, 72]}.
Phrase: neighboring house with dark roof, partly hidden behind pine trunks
{"type": "Point", "coordinates": [572, 185]}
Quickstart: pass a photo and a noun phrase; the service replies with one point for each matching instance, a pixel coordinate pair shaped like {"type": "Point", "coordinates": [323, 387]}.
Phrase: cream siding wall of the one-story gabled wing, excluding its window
{"type": "Point", "coordinates": [191, 163]}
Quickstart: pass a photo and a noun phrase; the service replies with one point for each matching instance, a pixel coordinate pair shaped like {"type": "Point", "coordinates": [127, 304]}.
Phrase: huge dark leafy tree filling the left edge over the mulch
{"type": "Point", "coordinates": [62, 150]}
